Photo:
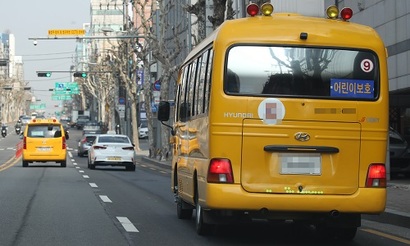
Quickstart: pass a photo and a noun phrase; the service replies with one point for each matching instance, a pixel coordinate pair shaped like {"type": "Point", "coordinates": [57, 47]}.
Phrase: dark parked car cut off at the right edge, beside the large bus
{"type": "Point", "coordinates": [399, 153]}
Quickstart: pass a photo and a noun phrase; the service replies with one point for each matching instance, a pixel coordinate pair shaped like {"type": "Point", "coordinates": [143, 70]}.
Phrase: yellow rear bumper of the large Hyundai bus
{"type": "Point", "coordinates": [233, 197]}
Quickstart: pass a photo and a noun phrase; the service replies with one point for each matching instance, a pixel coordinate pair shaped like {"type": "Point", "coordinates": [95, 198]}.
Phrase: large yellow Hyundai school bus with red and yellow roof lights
{"type": "Point", "coordinates": [280, 116]}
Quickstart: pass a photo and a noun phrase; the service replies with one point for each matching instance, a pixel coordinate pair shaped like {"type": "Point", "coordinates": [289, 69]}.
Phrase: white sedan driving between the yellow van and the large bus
{"type": "Point", "coordinates": [112, 150]}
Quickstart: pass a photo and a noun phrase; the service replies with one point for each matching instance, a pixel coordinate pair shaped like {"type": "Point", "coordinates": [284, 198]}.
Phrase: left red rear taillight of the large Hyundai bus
{"type": "Point", "coordinates": [220, 171]}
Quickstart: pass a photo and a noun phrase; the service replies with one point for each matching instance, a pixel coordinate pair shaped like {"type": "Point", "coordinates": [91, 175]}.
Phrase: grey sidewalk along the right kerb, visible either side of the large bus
{"type": "Point", "coordinates": [398, 191]}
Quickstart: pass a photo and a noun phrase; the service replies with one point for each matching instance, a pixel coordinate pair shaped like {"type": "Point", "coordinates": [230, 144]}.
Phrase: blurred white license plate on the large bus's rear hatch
{"type": "Point", "coordinates": [300, 163]}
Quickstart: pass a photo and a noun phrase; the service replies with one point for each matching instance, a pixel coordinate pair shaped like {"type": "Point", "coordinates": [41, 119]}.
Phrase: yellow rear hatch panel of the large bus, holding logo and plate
{"type": "Point", "coordinates": [274, 161]}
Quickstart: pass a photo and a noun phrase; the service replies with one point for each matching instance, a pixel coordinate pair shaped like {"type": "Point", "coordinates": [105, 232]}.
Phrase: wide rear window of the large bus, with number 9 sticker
{"type": "Point", "coordinates": [302, 72]}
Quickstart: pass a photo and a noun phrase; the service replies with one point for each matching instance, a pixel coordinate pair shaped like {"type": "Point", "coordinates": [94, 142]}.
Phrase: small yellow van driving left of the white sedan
{"type": "Point", "coordinates": [44, 140]}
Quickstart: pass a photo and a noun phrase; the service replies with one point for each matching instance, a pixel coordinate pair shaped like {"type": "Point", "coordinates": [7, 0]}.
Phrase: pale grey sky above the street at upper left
{"type": "Point", "coordinates": [29, 19]}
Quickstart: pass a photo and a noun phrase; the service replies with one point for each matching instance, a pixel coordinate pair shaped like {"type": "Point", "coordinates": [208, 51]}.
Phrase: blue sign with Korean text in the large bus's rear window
{"type": "Point", "coordinates": [351, 88]}
